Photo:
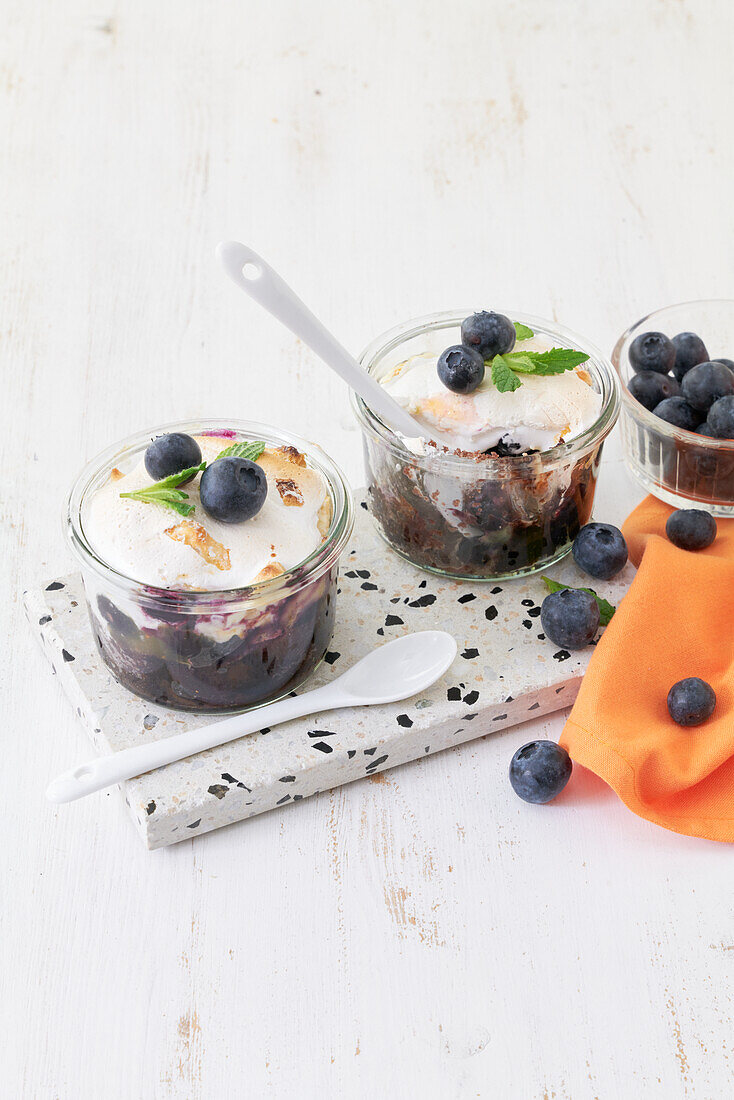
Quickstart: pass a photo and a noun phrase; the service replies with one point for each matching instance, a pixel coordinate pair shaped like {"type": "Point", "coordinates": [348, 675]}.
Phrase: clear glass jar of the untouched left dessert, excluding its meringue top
{"type": "Point", "coordinates": [212, 652]}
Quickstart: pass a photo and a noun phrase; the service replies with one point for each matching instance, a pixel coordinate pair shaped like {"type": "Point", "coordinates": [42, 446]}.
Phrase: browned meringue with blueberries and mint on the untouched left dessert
{"type": "Point", "coordinates": [199, 540]}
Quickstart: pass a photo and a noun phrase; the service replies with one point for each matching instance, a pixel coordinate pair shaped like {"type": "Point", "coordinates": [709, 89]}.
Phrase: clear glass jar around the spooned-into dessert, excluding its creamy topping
{"type": "Point", "coordinates": [486, 519]}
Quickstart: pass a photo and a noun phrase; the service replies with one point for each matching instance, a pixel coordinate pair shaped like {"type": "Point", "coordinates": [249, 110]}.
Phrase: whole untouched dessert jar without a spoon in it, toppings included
{"type": "Point", "coordinates": [209, 608]}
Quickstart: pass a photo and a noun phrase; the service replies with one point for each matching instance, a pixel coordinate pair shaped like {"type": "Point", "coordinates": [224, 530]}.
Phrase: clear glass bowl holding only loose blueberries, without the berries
{"type": "Point", "coordinates": [676, 466]}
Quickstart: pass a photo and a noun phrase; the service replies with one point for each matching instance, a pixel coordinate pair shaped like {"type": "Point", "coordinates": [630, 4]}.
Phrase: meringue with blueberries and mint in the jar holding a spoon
{"type": "Point", "coordinates": [529, 398]}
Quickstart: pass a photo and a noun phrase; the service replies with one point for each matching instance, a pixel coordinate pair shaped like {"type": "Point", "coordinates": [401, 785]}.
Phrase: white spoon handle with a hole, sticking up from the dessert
{"type": "Point", "coordinates": [256, 278]}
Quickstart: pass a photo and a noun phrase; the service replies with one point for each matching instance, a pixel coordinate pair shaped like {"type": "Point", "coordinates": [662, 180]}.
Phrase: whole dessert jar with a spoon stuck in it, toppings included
{"type": "Point", "coordinates": [510, 479]}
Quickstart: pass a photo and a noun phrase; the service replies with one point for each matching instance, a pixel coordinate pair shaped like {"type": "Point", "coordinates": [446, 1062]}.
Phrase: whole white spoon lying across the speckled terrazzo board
{"type": "Point", "coordinates": [397, 670]}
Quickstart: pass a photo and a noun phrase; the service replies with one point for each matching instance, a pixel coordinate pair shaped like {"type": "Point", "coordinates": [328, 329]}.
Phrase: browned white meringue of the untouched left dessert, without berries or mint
{"type": "Point", "coordinates": [155, 546]}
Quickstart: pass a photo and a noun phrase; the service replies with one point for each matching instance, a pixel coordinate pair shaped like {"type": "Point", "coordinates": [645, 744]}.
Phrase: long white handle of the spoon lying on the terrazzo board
{"type": "Point", "coordinates": [104, 772]}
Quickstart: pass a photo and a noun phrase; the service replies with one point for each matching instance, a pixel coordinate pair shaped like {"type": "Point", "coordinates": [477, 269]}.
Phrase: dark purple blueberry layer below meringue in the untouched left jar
{"type": "Point", "coordinates": [176, 656]}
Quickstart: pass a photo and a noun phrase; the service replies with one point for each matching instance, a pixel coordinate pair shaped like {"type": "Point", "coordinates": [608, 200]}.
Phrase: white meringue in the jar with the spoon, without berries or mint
{"type": "Point", "coordinates": [544, 411]}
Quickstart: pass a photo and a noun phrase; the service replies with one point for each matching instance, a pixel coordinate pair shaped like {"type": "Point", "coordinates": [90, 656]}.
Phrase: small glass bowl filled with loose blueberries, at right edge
{"type": "Point", "coordinates": [685, 455]}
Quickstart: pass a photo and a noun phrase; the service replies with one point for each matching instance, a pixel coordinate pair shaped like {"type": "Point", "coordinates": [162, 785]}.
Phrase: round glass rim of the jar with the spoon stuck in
{"type": "Point", "coordinates": [574, 448]}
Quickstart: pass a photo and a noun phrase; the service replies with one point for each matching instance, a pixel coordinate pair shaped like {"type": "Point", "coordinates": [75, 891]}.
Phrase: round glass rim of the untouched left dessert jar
{"type": "Point", "coordinates": [305, 573]}
